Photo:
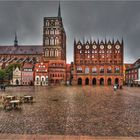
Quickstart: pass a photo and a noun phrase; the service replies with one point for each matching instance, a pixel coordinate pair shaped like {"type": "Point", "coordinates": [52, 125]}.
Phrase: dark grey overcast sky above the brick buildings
{"type": "Point", "coordinates": [99, 20]}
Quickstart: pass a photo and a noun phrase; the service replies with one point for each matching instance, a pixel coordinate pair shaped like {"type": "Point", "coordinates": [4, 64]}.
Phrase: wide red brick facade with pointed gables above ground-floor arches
{"type": "Point", "coordinates": [98, 63]}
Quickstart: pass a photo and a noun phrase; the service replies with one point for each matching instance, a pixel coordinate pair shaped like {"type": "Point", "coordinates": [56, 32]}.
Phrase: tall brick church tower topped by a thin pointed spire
{"type": "Point", "coordinates": [54, 38]}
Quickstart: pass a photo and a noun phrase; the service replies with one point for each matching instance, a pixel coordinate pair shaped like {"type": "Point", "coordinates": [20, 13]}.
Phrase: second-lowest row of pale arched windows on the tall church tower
{"type": "Point", "coordinates": [52, 41]}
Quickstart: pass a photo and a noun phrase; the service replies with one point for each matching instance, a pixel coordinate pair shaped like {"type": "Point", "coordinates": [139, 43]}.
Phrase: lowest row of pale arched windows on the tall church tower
{"type": "Point", "coordinates": [51, 53]}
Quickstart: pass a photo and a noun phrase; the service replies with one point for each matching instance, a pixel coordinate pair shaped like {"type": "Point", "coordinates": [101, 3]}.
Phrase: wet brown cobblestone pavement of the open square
{"type": "Point", "coordinates": [97, 111]}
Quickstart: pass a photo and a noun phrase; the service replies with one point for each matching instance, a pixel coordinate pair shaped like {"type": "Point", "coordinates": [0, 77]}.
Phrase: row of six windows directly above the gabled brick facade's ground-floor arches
{"type": "Point", "coordinates": [101, 70]}
